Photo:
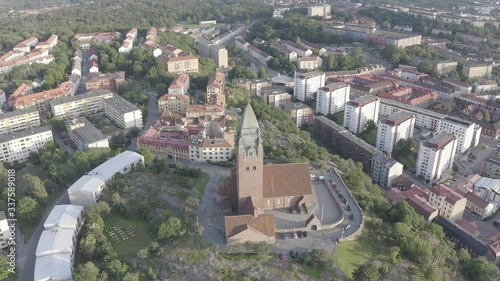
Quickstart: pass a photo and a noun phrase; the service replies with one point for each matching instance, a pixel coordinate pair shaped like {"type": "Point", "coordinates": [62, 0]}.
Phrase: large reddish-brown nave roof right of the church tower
{"type": "Point", "coordinates": [287, 180]}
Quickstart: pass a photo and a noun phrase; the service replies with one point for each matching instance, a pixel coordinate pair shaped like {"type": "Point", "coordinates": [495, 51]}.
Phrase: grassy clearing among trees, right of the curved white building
{"type": "Point", "coordinates": [129, 248]}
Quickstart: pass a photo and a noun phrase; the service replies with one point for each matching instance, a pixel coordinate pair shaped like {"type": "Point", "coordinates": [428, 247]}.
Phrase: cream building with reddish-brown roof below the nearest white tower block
{"type": "Point", "coordinates": [451, 204]}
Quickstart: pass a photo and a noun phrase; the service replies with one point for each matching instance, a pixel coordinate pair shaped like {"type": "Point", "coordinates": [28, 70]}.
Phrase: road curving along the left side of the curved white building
{"type": "Point", "coordinates": [26, 252]}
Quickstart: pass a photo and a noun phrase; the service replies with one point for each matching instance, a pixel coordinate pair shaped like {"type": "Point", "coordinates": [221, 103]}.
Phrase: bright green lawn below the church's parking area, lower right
{"type": "Point", "coordinates": [350, 255]}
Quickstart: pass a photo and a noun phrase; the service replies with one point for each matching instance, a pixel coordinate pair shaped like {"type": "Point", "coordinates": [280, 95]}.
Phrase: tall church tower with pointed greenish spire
{"type": "Point", "coordinates": [250, 160]}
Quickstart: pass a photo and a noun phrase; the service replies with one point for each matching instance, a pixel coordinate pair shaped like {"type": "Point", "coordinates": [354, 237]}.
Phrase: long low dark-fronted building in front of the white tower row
{"type": "Point", "coordinates": [344, 143]}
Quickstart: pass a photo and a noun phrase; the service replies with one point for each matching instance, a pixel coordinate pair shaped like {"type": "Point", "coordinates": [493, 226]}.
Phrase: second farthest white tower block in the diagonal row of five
{"type": "Point", "coordinates": [332, 98]}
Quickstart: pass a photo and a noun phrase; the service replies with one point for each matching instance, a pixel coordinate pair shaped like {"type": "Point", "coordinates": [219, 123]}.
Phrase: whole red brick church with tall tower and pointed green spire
{"type": "Point", "coordinates": [254, 187]}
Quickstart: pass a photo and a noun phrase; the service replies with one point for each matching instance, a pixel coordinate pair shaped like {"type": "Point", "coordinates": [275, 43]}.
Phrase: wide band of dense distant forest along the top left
{"type": "Point", "coordinates": [108, 15]}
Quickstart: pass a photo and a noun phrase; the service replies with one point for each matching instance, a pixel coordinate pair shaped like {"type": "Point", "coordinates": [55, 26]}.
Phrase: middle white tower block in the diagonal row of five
{"type": "Point", "coordinates": [359, 111]}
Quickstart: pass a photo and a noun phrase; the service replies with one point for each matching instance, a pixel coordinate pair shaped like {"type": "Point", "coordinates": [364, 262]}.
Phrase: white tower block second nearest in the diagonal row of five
{"type": "Point", "coordinates": [392, 129]}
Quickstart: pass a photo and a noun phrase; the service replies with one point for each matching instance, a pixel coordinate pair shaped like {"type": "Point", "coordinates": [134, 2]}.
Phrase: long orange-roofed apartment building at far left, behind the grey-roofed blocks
{"type": "Point", "coordinates": [41, 100]}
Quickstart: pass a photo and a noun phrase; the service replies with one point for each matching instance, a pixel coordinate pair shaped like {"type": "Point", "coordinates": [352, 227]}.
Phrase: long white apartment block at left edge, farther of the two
{"type": "Point", "coordinates": [19, 120]}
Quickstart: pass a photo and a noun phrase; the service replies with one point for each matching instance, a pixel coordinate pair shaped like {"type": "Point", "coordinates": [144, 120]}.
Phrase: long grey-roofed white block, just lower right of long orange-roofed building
{"type": "Point", "coordinates": [80, 105]}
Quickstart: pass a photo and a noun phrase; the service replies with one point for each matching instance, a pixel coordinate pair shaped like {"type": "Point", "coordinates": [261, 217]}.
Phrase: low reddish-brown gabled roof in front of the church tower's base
{"type": "Point", "coordinates": [262, 223]}
